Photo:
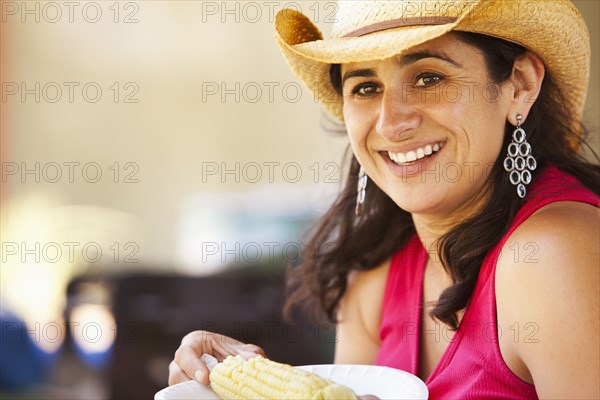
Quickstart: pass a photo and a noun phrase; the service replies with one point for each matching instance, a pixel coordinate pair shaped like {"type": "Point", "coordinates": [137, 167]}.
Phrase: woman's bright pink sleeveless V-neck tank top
{"type": "Point", "coordinates": [472, 366]}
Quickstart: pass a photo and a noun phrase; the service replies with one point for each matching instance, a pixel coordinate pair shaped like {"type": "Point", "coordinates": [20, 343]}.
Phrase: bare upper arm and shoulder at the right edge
{"type": "Point", "coordinates": [556, 291]}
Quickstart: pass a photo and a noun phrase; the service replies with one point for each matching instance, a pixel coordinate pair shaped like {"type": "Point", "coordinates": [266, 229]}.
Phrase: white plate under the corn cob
{"type": "Point", "coordinates": [383, 382]}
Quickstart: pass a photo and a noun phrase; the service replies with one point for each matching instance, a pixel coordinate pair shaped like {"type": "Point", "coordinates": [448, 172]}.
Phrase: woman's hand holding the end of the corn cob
{"type": "Point", "coordinates": [187, 364]}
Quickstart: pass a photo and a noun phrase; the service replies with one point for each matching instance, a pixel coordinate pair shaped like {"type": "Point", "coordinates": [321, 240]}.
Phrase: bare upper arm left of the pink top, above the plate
{"type": "Point", "coordinates": [360, 316]}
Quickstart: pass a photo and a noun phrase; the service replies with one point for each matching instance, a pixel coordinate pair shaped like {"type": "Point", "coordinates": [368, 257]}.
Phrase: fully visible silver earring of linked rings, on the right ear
{"type": "Point", "coordinates": [519, 163]}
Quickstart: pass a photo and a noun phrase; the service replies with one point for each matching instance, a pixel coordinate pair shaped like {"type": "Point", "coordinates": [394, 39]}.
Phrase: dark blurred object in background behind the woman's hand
{"type": "Point", "coordinates": [153, 313]}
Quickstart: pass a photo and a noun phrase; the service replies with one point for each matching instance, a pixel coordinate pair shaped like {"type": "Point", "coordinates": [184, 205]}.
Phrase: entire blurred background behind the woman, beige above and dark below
{"type": "Point", "coordinates": [160, 168]}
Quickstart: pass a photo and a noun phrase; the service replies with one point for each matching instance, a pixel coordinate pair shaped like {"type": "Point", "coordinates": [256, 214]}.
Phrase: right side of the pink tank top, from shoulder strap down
{"type": "Point", "coordinates": [476, 351]}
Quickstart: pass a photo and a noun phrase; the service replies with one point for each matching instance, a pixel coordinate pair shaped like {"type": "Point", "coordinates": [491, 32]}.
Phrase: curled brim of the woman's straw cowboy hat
{"type": "Point", "coordinates": [556, 33]}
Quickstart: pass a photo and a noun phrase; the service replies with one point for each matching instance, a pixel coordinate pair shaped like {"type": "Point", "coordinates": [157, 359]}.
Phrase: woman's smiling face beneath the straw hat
{"type": "Point", "coordinates": [426, 125]}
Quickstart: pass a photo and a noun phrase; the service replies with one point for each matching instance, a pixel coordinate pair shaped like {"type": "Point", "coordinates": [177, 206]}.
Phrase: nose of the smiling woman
{"type": "Point", "coordinates": [397, 116]}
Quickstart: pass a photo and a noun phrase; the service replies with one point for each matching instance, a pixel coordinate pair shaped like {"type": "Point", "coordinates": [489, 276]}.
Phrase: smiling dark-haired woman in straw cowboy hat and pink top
{"type": "Point", "coordinates": [472, 260]}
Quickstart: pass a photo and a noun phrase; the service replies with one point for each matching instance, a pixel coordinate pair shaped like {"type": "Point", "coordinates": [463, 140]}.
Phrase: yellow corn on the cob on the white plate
{"type": "Point", "coordinates": [260, 378]}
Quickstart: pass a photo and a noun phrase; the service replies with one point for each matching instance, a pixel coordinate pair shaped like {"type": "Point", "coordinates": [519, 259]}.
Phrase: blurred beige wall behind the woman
{"type": "Point", "coordinates": [165, 59]}
